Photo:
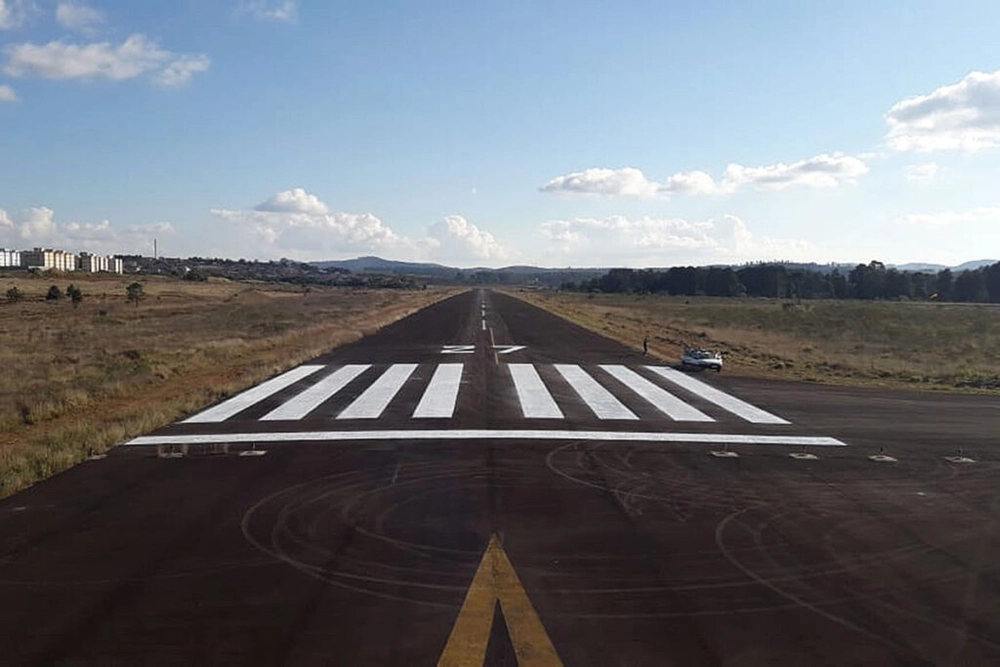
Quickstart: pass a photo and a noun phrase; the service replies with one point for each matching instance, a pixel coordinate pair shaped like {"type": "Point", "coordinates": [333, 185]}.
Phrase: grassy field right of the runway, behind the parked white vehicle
{"type": "Point", "coordinates": [899, 344]}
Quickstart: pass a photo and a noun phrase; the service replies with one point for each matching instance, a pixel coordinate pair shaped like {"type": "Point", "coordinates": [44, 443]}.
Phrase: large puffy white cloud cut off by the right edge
{"type": "Point", "coordinates": [964, 116]}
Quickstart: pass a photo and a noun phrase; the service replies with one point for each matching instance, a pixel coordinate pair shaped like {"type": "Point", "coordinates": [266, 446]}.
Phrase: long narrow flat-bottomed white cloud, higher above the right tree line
{"type": "Point", "coordinates": [822, 171]}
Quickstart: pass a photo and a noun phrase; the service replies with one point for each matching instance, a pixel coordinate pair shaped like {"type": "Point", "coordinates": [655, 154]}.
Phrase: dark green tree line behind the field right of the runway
{"type": "Point", "coordinates": [864, 281]}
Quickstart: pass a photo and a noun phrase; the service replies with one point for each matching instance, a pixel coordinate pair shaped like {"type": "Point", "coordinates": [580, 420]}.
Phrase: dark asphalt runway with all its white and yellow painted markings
{"type": "Point", "coordinates": [486, 483]}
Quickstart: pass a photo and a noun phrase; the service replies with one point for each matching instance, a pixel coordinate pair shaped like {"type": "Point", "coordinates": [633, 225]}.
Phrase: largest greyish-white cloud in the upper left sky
{"type": "Point", "coordinates": [137, 56]}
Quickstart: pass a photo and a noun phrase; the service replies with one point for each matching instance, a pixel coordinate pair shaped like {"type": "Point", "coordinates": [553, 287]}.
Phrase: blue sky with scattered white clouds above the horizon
{"type": "Point", "coordinates": [487, 134]}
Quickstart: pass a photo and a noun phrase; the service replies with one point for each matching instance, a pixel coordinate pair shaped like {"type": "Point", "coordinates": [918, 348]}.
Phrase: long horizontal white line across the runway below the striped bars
{"type": "Point", "coordinates": [487, 434]}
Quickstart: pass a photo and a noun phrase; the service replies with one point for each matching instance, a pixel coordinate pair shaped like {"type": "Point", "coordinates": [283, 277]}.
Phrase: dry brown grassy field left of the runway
{"type": "Point", "coordinates": [74, 381]}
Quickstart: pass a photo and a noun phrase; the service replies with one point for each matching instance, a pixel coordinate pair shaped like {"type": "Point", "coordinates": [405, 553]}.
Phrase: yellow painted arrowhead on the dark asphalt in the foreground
{"type": "Point", "coordinates": [496, 581]}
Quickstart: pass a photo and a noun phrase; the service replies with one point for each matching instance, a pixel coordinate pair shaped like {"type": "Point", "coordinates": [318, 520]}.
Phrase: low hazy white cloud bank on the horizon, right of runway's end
{"type": "Point", "coordinates": [661, 241]}
